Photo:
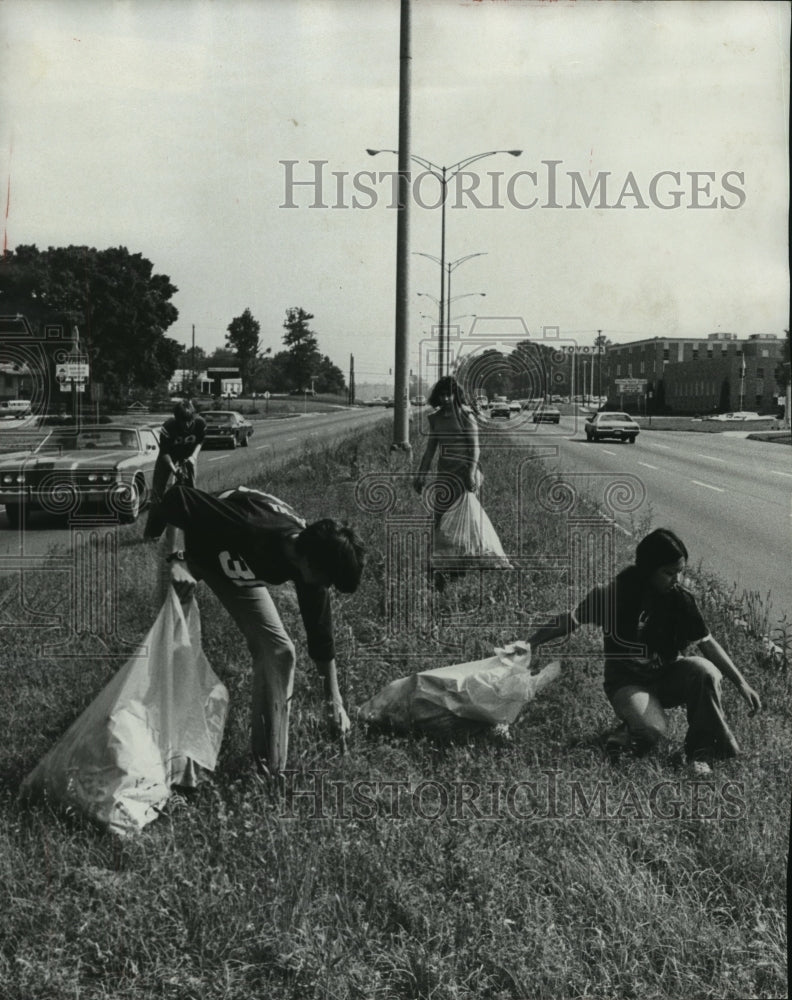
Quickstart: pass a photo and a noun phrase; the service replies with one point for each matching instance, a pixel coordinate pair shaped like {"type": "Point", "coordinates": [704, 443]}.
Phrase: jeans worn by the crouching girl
{"type": "Point", "coordinates": [691, 681]}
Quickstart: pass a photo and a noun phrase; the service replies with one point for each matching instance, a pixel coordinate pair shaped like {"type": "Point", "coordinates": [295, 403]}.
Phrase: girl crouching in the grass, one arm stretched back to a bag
{"type": "Point", "coordinates": [648, 620]}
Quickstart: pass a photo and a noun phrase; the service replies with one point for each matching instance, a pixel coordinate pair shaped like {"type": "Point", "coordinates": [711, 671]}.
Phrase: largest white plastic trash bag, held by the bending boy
{"type": "Point", "coordinates": [156, 724]}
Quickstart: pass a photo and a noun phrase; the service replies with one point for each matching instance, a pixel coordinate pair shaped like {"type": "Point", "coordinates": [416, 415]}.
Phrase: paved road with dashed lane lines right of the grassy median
{"type": "Point", "coordinates": [729, 498]}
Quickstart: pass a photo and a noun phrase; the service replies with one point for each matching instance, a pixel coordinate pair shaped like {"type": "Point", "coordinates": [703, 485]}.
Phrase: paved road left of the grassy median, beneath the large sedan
{"type": "Point", "coordinates": [273, 442]}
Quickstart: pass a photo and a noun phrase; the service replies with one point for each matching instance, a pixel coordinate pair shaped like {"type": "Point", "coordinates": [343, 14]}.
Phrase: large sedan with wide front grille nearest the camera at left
{"type": "Point", "coordinates": [108, 466]}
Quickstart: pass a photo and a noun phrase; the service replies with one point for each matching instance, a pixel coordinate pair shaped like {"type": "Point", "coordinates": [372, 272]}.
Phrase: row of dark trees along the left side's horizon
{"type": "Point", "coordinates": [123, 310]}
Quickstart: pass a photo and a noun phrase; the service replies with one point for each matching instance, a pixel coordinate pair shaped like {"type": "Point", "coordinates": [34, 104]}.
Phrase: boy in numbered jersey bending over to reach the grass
{"type": "Point", "coordinates": [239, 542]}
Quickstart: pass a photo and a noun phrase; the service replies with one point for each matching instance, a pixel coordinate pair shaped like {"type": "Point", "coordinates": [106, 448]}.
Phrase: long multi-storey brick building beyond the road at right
{"type": "Point", "coordinates": [699, 375]}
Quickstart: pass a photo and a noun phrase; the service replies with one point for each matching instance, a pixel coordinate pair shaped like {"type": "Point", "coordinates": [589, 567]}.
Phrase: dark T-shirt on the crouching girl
{"type": "Point", "coordinates": [641, 633]}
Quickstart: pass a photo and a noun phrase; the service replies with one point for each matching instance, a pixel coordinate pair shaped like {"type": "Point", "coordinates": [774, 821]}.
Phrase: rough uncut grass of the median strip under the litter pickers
{"type": "Point", "coordinates": [409, 867]}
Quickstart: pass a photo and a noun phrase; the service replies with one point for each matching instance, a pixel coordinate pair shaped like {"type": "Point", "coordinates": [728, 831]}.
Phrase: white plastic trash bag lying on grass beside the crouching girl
{"type": "Point", "coordinates": [491, 692]}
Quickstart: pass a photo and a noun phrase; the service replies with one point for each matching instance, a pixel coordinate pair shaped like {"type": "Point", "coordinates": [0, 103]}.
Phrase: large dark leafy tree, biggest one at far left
{"type": "Point", "coordinates": [121, 306]}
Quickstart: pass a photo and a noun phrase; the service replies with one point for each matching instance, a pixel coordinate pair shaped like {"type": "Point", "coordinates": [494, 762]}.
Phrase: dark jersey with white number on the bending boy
{"type": "Point", "coordinates": [241, 534]}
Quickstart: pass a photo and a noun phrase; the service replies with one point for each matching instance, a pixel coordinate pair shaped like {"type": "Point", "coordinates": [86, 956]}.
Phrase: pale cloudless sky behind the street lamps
{"type": "Point", "coordinates": [173, 128]}
